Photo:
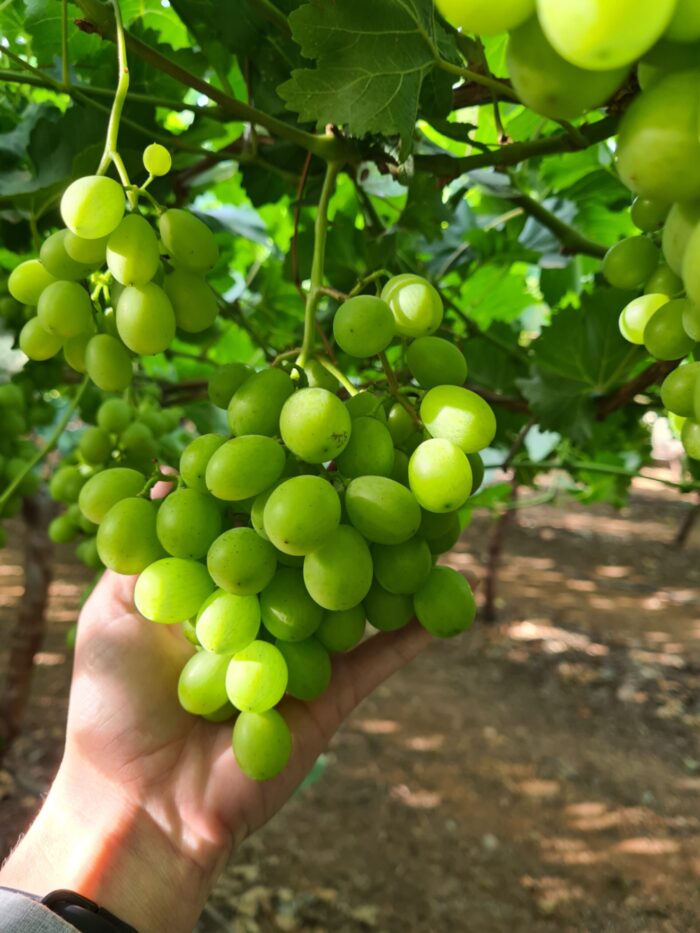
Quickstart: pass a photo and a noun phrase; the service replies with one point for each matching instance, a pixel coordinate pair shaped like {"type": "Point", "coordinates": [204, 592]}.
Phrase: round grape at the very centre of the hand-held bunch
{"type": "Point", "coordinates": [300, 514]}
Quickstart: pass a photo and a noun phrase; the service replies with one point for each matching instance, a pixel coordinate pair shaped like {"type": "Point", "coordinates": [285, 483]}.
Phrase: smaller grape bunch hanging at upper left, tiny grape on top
{"type": "Point", "coordinates": [152, 287]}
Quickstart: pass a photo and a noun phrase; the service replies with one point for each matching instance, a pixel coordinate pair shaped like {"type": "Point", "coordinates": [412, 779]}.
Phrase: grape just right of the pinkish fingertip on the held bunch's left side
{"type": "Point", "coordinates": [188, 523]}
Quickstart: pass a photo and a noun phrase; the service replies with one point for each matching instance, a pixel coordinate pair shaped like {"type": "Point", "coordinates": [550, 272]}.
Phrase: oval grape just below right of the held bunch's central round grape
{"type": "Point", "coordinates": [338, 573]}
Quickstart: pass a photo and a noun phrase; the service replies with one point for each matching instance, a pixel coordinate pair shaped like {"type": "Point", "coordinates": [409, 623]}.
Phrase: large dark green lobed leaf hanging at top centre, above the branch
{"type": "Point", "coordinates": [372, 58]}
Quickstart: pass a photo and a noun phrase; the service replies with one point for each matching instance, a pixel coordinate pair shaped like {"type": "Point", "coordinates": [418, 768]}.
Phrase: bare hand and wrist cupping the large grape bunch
{"type": "Point", "coordinates": [148, 804]}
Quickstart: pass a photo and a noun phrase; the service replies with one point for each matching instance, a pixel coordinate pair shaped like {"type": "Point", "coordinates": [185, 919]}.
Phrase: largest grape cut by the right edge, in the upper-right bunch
{"type": "Point", "coordinates": [658, 146]}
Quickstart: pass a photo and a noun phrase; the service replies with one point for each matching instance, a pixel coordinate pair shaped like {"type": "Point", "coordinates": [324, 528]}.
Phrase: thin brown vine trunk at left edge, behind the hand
{"type": "Point", "coordinates": [30, 626]}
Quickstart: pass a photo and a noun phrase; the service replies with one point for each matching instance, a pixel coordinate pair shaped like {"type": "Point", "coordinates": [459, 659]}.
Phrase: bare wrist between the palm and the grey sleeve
{"type": "Point", "coordinates": [90, 838]}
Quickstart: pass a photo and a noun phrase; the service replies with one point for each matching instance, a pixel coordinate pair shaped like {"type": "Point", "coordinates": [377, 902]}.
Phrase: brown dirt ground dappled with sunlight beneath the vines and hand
{"type": "Point", "coordinates": [539, 775]}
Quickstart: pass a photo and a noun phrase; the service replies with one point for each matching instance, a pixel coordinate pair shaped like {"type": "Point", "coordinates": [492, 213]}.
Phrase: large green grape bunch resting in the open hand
{"type": "Point", "coordinates": [317, 515]}
